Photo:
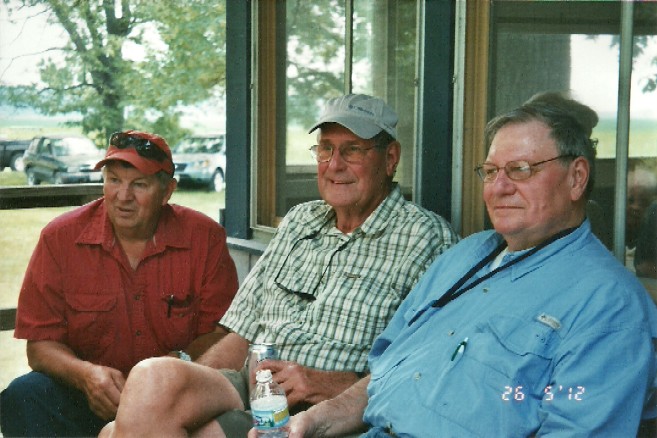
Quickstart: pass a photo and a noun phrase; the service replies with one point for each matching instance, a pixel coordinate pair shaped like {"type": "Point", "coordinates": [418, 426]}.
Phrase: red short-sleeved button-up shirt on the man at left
{"type": "Point", "coordinates": [79, 288]}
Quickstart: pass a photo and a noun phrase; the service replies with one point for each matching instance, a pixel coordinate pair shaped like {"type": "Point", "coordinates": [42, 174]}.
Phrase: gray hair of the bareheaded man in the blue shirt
{"type": "Point", "coordinates": [571, 124]}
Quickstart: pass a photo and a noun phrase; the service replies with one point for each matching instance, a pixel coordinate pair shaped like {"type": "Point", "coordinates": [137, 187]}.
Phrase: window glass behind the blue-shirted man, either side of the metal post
{"type": "Point", "coordinates": [576, 47]}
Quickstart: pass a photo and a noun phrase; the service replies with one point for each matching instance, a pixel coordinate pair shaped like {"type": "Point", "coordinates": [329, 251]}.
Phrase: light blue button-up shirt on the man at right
{"type": "Point", "coordinates": [558, 343]}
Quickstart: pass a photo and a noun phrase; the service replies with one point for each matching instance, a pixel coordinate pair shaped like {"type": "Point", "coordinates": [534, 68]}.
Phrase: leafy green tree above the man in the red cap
{"type": "Point", "coordinates": [183, 63]}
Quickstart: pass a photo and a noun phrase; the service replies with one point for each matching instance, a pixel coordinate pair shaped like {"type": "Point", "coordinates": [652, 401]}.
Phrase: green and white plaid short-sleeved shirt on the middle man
{"type": "Point", "coordinates": [323, 296]}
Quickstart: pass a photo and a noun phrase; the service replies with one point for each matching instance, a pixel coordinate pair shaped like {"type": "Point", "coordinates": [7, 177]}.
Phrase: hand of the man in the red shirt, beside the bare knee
{"type": "Point", "coordinates": [102, 386]}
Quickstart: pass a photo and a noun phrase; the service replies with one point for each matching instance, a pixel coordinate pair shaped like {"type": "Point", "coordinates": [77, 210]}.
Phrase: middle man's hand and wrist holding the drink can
{"type": "Point", "coordinates": [302, 384]}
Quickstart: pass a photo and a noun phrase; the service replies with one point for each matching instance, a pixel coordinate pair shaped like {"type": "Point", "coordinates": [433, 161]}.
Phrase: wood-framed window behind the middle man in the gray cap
{"type": "Point", "coordinates": [308, 52]}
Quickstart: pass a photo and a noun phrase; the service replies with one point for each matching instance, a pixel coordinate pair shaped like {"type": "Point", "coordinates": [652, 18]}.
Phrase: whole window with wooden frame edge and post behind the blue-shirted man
{"type": "Point", "coordinates": [577, 46]}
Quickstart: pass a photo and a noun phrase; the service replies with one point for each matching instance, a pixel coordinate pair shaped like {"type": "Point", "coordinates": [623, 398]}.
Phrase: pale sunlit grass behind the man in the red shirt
{"type": "Point", "coordinates": [20, 231]}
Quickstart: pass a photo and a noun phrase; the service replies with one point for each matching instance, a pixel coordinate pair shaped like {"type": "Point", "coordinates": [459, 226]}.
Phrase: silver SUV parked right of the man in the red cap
{"type": "Point", "coordinates": [201, 159]}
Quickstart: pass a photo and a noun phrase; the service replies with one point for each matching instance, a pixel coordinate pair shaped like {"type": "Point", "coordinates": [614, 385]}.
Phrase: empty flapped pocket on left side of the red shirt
{"type": "Point", "coordinates": [91, 323]}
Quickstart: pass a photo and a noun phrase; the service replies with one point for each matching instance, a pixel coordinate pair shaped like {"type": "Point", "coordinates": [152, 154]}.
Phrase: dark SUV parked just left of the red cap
{"type": "Point", "coordinates": [62, 160]}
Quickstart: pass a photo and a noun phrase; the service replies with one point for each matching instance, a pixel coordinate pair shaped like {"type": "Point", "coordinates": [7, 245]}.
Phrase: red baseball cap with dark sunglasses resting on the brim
{"type": "Point", "coordinates": [148, 153]}
